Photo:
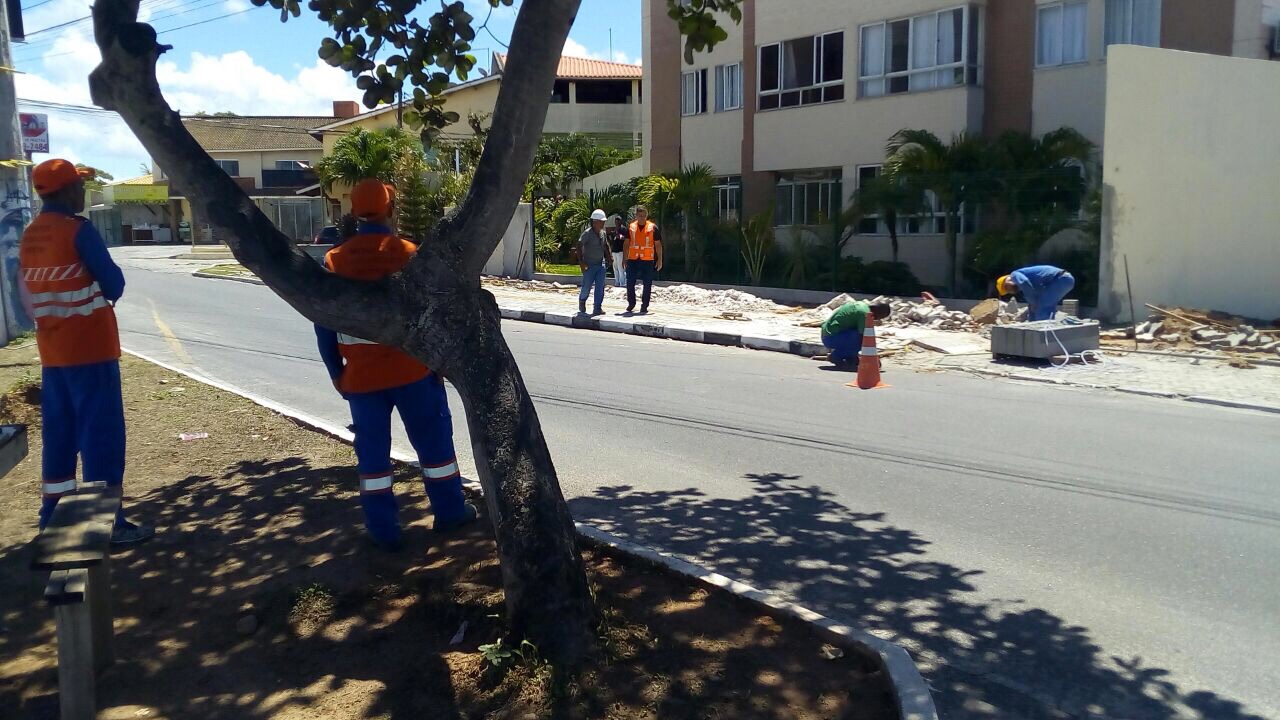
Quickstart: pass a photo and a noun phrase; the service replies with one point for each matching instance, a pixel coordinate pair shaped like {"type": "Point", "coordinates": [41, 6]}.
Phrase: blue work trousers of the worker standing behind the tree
{"type": "Point", "coordinates": [426, 411]}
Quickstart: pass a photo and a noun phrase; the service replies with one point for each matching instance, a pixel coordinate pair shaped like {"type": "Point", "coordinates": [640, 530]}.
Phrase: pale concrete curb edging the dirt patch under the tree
{"type": "Point", "coordinates": [912, 692]}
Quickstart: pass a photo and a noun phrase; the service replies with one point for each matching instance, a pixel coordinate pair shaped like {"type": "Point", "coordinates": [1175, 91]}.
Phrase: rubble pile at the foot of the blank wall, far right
{"type": "Point", "coordinates": [1197, 330]}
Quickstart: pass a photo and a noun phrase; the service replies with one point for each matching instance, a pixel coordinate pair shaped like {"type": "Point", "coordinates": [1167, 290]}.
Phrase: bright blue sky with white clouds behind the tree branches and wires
{"type": "Point", "coordinates": [243, 60]}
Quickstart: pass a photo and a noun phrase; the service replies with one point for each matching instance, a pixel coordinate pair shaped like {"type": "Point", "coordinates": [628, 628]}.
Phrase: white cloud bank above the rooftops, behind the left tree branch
{"type": "Point", "coordinates": [232, 83]}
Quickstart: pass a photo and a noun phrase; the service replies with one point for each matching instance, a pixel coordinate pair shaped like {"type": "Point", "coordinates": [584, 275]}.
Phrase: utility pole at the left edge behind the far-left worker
{"type": "Point", "coordinates": [16, 199]}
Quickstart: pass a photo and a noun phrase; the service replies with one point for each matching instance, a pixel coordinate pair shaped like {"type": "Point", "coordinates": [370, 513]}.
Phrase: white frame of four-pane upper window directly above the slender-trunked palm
{"type": "Point", "coordinates": [970, 53]}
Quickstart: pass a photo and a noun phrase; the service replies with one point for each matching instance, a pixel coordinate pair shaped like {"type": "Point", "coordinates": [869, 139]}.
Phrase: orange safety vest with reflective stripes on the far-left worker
{"type": "Point", "coordinates": [75, 323]}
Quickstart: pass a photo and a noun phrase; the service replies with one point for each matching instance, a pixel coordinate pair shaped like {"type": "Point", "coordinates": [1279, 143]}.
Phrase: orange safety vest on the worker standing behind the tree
{"type": "Point", "coordinates": [372, 367]}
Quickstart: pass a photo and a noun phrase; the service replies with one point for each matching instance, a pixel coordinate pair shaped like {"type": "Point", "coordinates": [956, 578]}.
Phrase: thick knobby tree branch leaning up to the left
{"type": "Point", "coordinates": [126, 83]}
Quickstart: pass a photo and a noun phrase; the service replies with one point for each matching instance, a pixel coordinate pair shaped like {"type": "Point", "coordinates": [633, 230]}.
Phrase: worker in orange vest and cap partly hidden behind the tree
{"type": "Point", "coordinates": [376, 380]}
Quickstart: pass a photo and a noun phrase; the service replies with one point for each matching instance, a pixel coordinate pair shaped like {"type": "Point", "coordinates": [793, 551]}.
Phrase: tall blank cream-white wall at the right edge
{"type": "Point", "coordinates": [1191, 183]}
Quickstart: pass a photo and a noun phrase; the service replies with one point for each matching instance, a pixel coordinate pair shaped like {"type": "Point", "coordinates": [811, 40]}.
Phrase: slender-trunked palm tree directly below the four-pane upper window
{"type": "Point", "coordinates": [956, 174]}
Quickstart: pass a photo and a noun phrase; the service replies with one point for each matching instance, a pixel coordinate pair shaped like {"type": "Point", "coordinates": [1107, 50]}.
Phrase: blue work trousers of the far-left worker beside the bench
{"type": "Point", "coordinates": [83, 418]}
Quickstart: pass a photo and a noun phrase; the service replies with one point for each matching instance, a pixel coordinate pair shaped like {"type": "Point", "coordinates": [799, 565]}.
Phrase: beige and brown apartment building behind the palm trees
{"type": "Point", "coordinates": [797, 107]}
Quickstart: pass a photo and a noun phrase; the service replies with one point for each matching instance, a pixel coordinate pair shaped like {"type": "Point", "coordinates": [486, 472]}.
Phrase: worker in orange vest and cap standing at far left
{"type": "Point", "coordinates": [70, 286]}
